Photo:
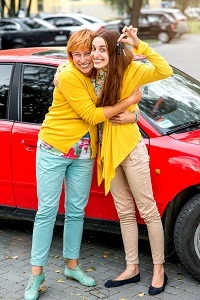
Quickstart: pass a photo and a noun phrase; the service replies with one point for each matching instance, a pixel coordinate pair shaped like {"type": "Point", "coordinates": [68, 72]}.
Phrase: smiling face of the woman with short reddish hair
{"type": "Point", "coordinates": [83, 61]}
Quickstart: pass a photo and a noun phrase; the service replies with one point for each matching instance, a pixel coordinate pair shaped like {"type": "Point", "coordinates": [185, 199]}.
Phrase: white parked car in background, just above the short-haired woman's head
{"type": "Point", "coordinates": [74, 22]}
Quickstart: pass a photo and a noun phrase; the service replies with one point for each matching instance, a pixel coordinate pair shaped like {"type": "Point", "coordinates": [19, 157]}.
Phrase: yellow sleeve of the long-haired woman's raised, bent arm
{"type": "Point", "coordinates": [157, 70]}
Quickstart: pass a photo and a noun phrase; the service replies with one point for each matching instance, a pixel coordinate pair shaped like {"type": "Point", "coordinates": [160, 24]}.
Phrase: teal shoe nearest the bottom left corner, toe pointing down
{"type": "Point", "coordinates": [32, 289]}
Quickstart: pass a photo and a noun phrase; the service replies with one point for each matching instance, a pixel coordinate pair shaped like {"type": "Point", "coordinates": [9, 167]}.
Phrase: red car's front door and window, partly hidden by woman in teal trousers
{"type": "Point", "coordinates": [35, 84]}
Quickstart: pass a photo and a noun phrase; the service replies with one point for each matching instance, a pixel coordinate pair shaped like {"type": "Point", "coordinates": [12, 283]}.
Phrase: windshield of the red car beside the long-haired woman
{"type": "Point", "coordinates": [170, 103]}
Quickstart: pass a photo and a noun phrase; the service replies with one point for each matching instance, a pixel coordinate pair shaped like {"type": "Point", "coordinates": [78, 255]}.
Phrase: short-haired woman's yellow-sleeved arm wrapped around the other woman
{"type": "Point", "coordinates": [75, 88]}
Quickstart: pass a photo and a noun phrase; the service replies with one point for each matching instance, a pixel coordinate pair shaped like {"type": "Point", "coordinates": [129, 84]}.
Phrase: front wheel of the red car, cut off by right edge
{"type": "Point", "coordinates": [187, 236]}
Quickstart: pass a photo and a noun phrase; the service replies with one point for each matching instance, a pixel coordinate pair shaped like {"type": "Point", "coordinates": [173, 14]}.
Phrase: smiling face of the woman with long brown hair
{"type": "Point", "coordinates": [99, 53]}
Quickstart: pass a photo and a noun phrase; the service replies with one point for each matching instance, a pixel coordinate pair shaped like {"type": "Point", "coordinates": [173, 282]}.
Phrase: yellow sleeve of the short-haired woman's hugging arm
{"type": "Point", "coordinates": [78, 92]}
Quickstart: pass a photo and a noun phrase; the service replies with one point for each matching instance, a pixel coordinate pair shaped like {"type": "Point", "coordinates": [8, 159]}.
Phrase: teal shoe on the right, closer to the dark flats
{"type": "Point", "coordinates": [79, 275]}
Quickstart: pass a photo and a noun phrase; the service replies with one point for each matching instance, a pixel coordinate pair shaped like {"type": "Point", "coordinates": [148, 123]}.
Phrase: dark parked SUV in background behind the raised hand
{"type": "Point", "coordinates": [151, 25]}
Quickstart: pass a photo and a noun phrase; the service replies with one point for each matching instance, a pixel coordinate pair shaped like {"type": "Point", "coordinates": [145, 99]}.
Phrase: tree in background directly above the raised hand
{"type": "Point", "coordinates": [130, 7]}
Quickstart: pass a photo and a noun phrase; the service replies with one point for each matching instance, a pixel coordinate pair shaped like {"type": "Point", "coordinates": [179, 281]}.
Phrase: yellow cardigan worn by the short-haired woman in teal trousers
{"type": "Point", "coordinates": [73, 112]}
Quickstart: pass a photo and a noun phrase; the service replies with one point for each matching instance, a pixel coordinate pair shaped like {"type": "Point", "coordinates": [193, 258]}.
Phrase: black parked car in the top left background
{"type": "Point", "coordinates": [30, 32]}
